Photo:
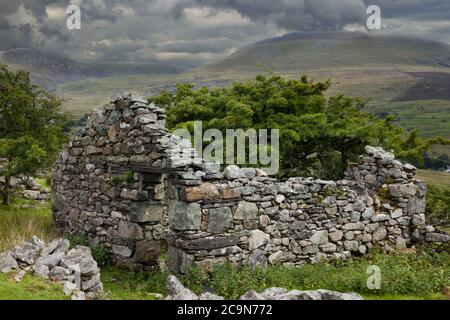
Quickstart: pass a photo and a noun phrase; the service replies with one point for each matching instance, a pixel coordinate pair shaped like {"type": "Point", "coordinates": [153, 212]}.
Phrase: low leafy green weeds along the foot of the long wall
{"type": "Point", "coordinates": [401, 274]}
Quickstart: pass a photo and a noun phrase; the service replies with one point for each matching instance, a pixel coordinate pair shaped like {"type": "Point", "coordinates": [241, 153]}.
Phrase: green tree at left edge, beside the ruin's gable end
{"type": "Point", "coordinates": [31, 128]}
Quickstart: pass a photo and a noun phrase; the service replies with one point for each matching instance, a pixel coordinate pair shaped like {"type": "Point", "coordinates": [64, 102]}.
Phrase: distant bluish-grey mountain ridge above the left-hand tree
{"type": "Point", "coordinates": [50, 70]}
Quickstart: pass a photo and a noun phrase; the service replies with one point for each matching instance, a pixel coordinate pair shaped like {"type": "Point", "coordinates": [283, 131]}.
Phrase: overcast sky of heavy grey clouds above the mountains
{"type": "Point", "coordinates": [192, 32]}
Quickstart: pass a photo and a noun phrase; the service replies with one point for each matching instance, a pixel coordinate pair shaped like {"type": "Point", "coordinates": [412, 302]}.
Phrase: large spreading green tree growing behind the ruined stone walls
{"type": "Point", "coordinates": [319, 135]}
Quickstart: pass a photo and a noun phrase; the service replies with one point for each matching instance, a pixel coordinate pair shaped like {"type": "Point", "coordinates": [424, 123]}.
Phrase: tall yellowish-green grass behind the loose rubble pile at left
{"type": "Point", "coordinates": [21, 220]}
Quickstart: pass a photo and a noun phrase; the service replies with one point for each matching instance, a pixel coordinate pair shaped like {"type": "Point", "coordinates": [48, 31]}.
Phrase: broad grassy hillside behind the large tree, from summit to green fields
{"type": "Point", "coordinates": [405, 76]}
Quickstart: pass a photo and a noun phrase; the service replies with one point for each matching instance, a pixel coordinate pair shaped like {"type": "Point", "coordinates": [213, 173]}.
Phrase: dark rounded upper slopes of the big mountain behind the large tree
{"type": "Point", "coordinates": [300, 52]}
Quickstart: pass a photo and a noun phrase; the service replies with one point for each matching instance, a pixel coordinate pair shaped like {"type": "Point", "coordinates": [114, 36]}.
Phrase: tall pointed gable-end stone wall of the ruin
{"type": "Point", "coordinates": [109, 182]}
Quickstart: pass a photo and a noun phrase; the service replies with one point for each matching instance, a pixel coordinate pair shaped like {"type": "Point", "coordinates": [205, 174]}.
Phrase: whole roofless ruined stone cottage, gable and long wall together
{"type": "Point", "coordinates": [120, 183]}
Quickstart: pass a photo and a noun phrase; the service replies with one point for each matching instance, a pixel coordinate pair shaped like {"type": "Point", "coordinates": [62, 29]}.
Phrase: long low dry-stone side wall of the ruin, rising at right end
{"type": "Point", "coordinates": [248, 218]}
